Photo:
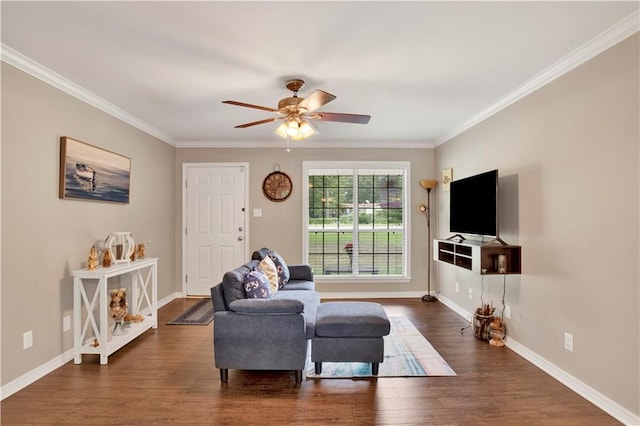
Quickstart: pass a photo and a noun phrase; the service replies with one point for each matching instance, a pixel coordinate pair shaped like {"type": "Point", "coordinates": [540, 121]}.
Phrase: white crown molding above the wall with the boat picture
{"type": "Point", "coordinates": [33, 68]}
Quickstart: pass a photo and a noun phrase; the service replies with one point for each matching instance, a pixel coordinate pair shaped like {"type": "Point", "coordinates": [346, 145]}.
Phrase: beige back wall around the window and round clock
{"type": "Point", "coordinates": [280, 226]}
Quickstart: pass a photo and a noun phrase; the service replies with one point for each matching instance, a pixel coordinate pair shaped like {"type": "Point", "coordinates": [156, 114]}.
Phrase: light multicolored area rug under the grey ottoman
{"type": "Point", "coordinates": [406, 354]}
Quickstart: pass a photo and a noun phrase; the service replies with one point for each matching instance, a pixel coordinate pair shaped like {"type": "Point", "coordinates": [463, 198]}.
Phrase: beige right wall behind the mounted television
{"type": "Point", "coordinates": [568, 160]}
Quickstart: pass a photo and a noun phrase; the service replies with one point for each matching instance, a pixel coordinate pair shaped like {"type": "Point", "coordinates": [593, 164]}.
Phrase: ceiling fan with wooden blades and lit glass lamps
{"type": "Point", "coordinates": [297, 113]}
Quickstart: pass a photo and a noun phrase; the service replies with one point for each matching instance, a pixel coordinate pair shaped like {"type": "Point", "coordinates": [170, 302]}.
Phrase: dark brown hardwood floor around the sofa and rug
{"type": "Point", "coordinates": [167, 376]}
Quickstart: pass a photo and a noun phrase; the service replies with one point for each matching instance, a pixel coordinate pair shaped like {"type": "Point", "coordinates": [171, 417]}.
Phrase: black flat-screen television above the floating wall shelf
{"type": "Point", "coordinates": [473, 205]}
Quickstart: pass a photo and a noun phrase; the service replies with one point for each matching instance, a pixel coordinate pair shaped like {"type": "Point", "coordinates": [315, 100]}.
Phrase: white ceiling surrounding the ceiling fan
{"type": "Point", "coordinates": [424, 71]}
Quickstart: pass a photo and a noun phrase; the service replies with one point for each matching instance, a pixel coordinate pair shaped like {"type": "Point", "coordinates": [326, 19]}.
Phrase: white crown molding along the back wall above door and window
{"type": "Point", "coordinates": [282, 144]}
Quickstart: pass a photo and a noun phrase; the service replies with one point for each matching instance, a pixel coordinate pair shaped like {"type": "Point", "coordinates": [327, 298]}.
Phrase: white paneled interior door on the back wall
{"type": "Point", "coordinates": [215, 227]}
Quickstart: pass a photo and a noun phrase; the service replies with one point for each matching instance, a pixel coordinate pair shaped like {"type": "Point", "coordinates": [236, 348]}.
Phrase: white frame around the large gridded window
{"type": "Point", "coordinates": [399, 165]}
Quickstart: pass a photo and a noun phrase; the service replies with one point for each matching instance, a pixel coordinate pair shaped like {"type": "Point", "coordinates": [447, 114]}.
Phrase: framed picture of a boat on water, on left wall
{"type": "Point", "coordinates": [91, 173]}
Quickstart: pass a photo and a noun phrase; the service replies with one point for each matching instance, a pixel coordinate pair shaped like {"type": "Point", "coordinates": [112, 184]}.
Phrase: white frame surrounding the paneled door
{"type": "Point", "coordinates": [183, 186]}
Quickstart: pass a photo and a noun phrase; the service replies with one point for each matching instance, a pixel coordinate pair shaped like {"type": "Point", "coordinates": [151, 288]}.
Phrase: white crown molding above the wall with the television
{"type": "Point", "coordinates": [610, 37]}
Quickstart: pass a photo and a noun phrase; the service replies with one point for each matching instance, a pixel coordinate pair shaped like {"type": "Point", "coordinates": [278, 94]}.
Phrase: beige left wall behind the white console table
{"type": "Point", "coordinates": [44, 238]}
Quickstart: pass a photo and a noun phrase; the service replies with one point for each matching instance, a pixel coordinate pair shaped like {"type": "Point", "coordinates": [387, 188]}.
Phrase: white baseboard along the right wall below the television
{"type": "Point", "coordinates": [596, 398]}
